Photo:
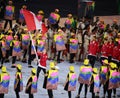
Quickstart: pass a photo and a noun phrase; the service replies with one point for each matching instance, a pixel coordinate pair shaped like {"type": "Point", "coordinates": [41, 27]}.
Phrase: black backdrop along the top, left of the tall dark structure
{"type": "Point", "coordinates": [65, 6]}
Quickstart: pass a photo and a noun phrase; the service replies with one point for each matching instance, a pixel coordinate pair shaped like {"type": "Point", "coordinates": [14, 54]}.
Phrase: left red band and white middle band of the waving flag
{"type": "Point", "coordinates": [31, 20]}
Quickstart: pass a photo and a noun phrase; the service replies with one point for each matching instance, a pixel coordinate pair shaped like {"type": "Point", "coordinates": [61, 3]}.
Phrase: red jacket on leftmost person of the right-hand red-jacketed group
{"type": "Point", "coordinates": [93, 48]}
